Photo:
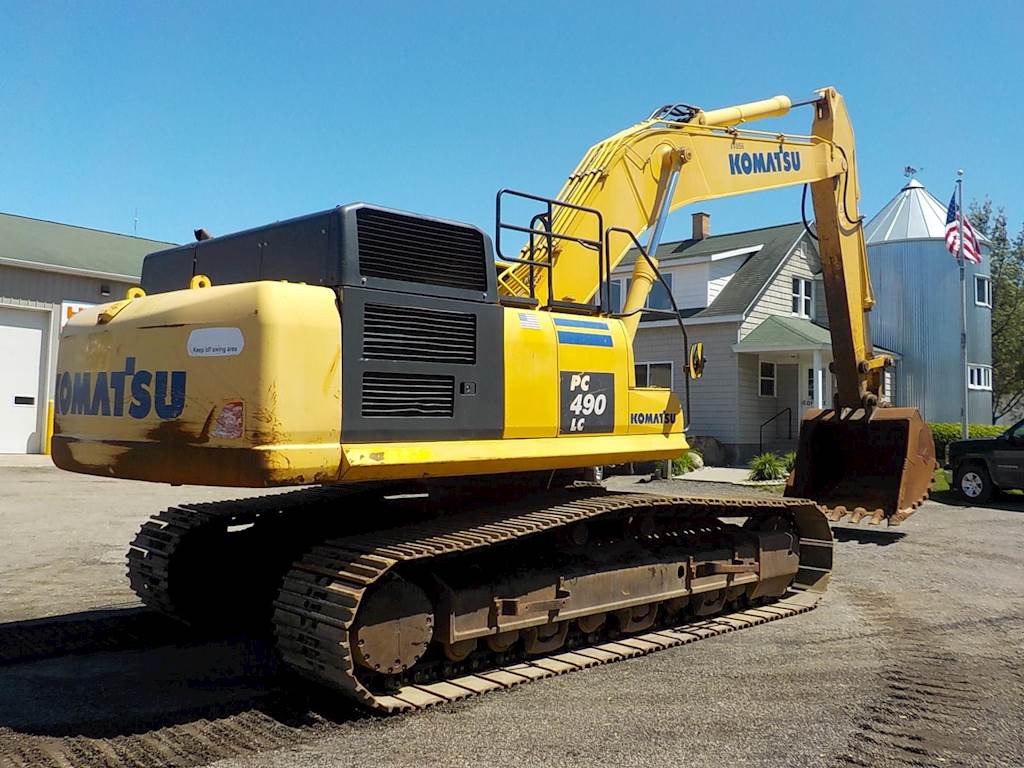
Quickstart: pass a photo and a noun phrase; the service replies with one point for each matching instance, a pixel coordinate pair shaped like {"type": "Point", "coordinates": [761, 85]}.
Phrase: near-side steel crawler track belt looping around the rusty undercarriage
{"type": "Point", "coordinates": [318, 609]}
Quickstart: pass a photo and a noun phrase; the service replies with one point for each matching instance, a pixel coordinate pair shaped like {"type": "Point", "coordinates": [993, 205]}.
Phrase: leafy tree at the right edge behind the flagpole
{"type": "Point", "coordinates": [1007, 269]}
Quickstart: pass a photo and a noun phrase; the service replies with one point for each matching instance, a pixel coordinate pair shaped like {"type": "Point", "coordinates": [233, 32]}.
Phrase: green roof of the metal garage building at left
{"type": "Point", "coordinates": [40, 244]}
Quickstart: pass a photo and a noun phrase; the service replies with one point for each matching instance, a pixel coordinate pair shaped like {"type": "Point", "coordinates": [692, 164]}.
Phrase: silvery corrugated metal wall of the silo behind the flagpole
{"type": "Point", "coordinates": [917, 285]}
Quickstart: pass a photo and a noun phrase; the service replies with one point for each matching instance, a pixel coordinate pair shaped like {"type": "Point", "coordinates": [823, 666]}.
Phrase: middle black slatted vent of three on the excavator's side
{"type": "Point", "coordinates": [404, 333]}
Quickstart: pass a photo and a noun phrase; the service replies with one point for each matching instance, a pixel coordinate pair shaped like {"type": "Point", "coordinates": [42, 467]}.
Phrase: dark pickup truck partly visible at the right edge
{"type": "Point", "coordinates": [983, 467]}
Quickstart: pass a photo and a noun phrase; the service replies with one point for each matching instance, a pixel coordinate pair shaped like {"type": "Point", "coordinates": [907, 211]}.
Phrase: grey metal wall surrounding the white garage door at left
{"type": "Point", "coordinates": [46, 291]}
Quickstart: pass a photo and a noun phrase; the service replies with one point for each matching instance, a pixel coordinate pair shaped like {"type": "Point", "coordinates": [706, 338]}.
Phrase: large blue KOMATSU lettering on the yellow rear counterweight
{"type": "Point", "coordinates": [107, 393]}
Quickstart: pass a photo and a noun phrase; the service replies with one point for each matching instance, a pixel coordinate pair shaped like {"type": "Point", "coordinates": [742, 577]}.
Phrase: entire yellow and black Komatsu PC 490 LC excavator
{"type": "Point", "coordinates": [441, 401]}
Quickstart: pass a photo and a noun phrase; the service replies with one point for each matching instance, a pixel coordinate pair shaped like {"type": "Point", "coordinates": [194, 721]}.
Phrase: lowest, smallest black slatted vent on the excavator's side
{"type": "Point", "coordinates": [401, 395]}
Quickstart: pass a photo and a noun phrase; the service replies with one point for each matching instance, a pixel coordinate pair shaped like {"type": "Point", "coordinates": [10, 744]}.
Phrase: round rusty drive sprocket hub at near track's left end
{"type": "Point", "coordinates": [394, 627]}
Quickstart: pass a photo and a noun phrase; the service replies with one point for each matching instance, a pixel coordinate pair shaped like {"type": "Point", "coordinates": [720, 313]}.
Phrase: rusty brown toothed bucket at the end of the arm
{"type": "Point", "coordinates": [878, 466]}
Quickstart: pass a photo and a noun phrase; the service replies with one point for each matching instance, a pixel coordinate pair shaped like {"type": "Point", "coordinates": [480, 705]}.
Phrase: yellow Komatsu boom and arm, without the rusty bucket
{"type": "Point", "coordinates": [682, 156]}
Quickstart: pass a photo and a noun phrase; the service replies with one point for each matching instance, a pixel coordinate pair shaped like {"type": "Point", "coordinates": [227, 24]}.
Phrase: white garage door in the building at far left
{"type": "Point", "coordinates": [22, 365]}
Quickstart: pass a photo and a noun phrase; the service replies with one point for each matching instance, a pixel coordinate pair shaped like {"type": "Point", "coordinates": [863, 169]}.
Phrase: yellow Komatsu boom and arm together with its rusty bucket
{"type": "Point", "coordinates": [854, 458]}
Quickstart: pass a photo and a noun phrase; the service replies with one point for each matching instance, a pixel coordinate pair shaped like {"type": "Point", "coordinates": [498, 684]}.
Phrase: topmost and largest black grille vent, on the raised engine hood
{"type": "Point", "coordinates": [399, 247]}
